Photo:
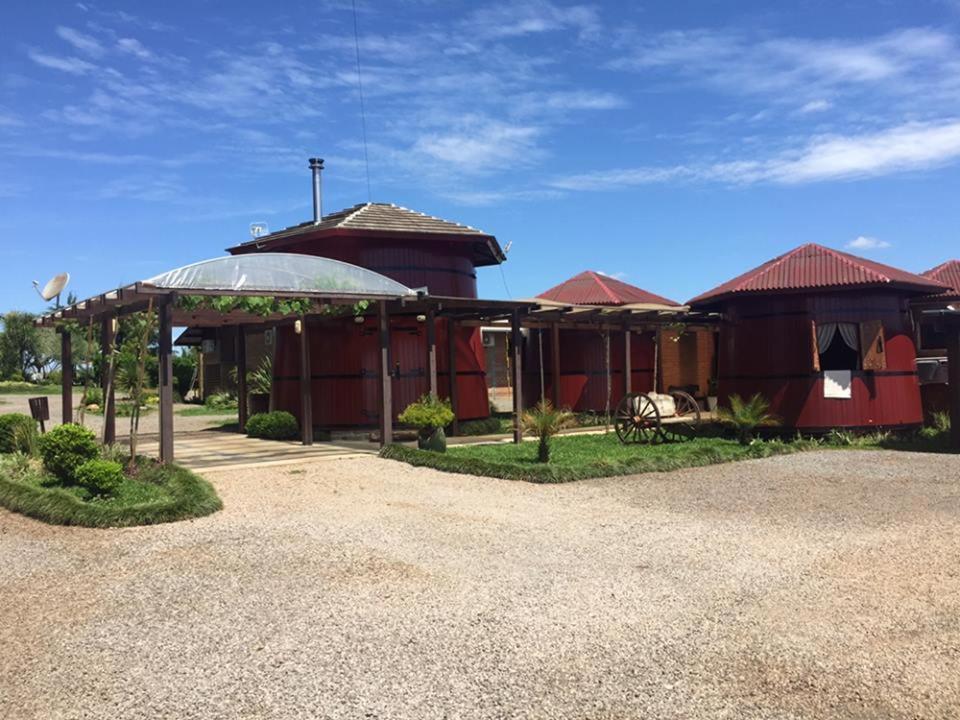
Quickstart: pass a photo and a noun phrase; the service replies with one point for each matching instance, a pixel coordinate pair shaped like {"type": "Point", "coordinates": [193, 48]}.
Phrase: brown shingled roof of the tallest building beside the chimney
{"type": "Point", "coordinates": [380, 220]}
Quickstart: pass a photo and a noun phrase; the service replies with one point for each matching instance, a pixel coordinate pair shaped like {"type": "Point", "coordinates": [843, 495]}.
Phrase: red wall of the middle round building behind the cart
{"type": "Point", "coordinates": [583, 377]}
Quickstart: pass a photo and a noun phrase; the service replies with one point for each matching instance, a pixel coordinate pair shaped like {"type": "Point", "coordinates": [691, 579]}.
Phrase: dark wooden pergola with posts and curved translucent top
{"type": "Point", "coordinates": [326, 283]}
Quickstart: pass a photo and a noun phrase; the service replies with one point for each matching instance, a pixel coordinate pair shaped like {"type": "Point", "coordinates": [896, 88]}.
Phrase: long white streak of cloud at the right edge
{"type": "Point", "coordinates": [913, 146]}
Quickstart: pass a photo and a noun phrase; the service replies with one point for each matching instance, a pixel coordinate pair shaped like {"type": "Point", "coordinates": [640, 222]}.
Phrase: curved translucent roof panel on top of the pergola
{"type": "Point", "coordinates": [279, 272]}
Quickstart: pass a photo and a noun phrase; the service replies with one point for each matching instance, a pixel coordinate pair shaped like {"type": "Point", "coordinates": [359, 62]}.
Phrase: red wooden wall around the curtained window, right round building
{"type": "Point", "coordinates": [766, 347]}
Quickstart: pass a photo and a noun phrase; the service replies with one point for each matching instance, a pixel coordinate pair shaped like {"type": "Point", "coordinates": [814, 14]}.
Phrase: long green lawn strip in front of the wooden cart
{"type": "Point", "coordinates": [575, 457]}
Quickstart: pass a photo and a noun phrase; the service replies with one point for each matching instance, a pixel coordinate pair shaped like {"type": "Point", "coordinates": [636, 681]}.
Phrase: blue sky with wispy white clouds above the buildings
{"type": "Point", "coordinates": [671, 144]}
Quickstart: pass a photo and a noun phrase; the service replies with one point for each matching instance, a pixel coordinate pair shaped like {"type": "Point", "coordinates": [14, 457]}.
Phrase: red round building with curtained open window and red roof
{"type": "Point", "coordinates": [825, 336]}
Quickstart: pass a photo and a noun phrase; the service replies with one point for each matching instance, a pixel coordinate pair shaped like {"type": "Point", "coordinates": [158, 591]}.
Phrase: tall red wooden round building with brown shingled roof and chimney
{"type": "Point", "coordinates": [416, 250]}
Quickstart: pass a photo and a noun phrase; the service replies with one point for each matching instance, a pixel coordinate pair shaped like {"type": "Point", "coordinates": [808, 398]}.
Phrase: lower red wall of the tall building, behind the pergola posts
{"type": "Point", "coordinates": [345, 360]}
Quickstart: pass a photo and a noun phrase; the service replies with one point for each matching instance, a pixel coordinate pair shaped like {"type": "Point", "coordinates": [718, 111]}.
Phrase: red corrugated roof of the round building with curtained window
{"type": "Point", "coordinates": [814, 267]}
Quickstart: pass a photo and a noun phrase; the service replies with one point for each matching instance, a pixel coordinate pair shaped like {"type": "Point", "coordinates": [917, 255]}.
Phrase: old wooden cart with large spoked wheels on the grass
{"type": "Point", "coordinates": [657, 417]}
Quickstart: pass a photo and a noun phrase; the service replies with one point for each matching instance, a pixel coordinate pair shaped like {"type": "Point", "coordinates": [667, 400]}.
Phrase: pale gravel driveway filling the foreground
{"type": "Point", "coordinates": [820, 585]}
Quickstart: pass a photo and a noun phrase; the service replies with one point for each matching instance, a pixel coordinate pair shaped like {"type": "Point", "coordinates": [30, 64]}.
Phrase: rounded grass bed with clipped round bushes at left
{"type": "Point", "coordinates": [156, 494]}
